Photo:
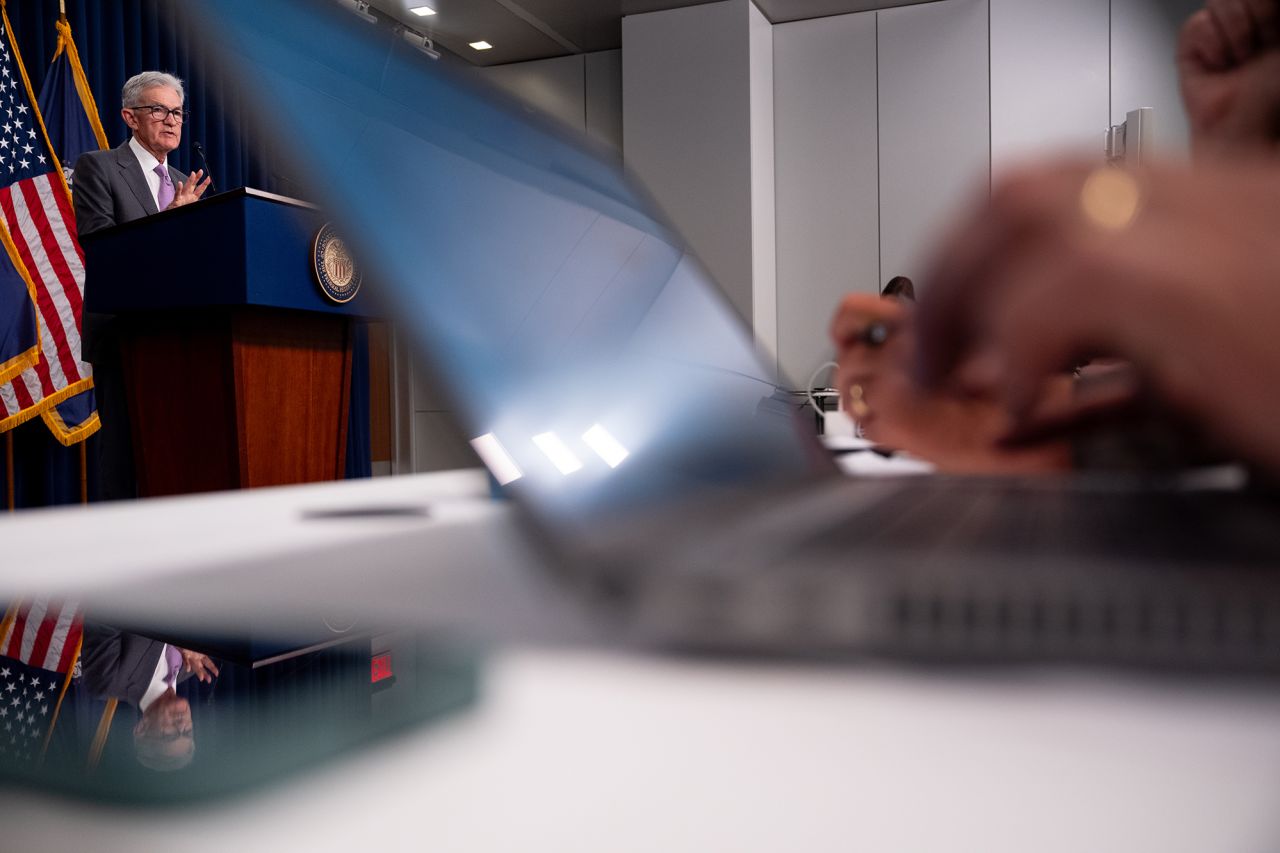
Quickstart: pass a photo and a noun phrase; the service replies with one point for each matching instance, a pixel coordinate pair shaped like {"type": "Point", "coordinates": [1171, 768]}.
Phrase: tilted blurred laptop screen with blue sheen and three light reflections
{"type": "Point", "coordinates": [589, 358]}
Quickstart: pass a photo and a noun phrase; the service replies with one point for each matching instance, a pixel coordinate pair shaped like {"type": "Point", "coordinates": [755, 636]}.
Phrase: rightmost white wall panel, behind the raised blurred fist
{"type": "Point", "coordinates": [1144, 42]}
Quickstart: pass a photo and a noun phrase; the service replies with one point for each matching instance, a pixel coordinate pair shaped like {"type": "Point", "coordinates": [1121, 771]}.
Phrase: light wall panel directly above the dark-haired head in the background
{"type": "Point", "coordinates": [935, 125]}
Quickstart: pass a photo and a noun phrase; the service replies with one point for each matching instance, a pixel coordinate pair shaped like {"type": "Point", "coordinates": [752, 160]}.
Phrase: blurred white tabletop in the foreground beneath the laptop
{"type": "Point", "coordinates": [588, 750]}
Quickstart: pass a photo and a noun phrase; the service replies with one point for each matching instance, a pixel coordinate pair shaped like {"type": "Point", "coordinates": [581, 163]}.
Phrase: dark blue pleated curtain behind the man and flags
{"type": "Point", "coordinates": [118, 39]}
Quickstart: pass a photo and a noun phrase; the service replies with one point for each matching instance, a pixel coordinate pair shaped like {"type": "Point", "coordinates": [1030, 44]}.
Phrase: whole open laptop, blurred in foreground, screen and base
{"type": "Point", "coordinates": [655, 457]}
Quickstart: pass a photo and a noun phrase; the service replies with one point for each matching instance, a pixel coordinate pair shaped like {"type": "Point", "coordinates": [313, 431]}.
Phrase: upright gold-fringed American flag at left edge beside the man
{"type": "Point", "coordinates": [36, 206]}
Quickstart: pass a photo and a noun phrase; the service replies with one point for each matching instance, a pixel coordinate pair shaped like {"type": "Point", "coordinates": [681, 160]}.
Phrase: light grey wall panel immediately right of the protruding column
{"type": "Point", "coordinates": [826, 176]}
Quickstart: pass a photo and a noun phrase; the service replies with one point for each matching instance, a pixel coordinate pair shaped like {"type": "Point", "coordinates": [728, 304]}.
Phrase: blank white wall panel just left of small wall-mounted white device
{"type": "Point", "coordinates": [1050, 77]}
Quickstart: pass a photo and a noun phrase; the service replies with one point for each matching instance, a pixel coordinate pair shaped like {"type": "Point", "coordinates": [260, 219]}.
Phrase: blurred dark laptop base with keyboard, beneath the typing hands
{"type": "Point", "coordinates": [996, 572]}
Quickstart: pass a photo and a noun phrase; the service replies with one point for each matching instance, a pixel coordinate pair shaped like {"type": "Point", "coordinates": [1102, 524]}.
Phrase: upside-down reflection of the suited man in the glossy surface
{"type": "Point", "coordinates": [144, 673]}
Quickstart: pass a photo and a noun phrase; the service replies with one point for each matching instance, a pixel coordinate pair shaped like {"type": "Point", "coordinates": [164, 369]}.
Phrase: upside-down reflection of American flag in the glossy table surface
{"type": "Point", "coordinates": [40, 644]}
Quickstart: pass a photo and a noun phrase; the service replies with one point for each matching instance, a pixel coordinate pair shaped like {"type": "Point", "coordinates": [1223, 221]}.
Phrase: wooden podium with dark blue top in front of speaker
{"type": "Point", "coordinates": [236, 366]}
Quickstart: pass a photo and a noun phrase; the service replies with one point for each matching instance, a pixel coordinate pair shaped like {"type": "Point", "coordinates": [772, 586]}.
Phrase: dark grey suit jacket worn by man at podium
{"type": "Point", "coordinates": [109, 189]}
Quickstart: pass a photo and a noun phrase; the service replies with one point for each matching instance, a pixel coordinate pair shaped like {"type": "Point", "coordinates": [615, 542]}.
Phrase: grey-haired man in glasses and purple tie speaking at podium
{"type": "Point", "coordinates": [136, 180]}
